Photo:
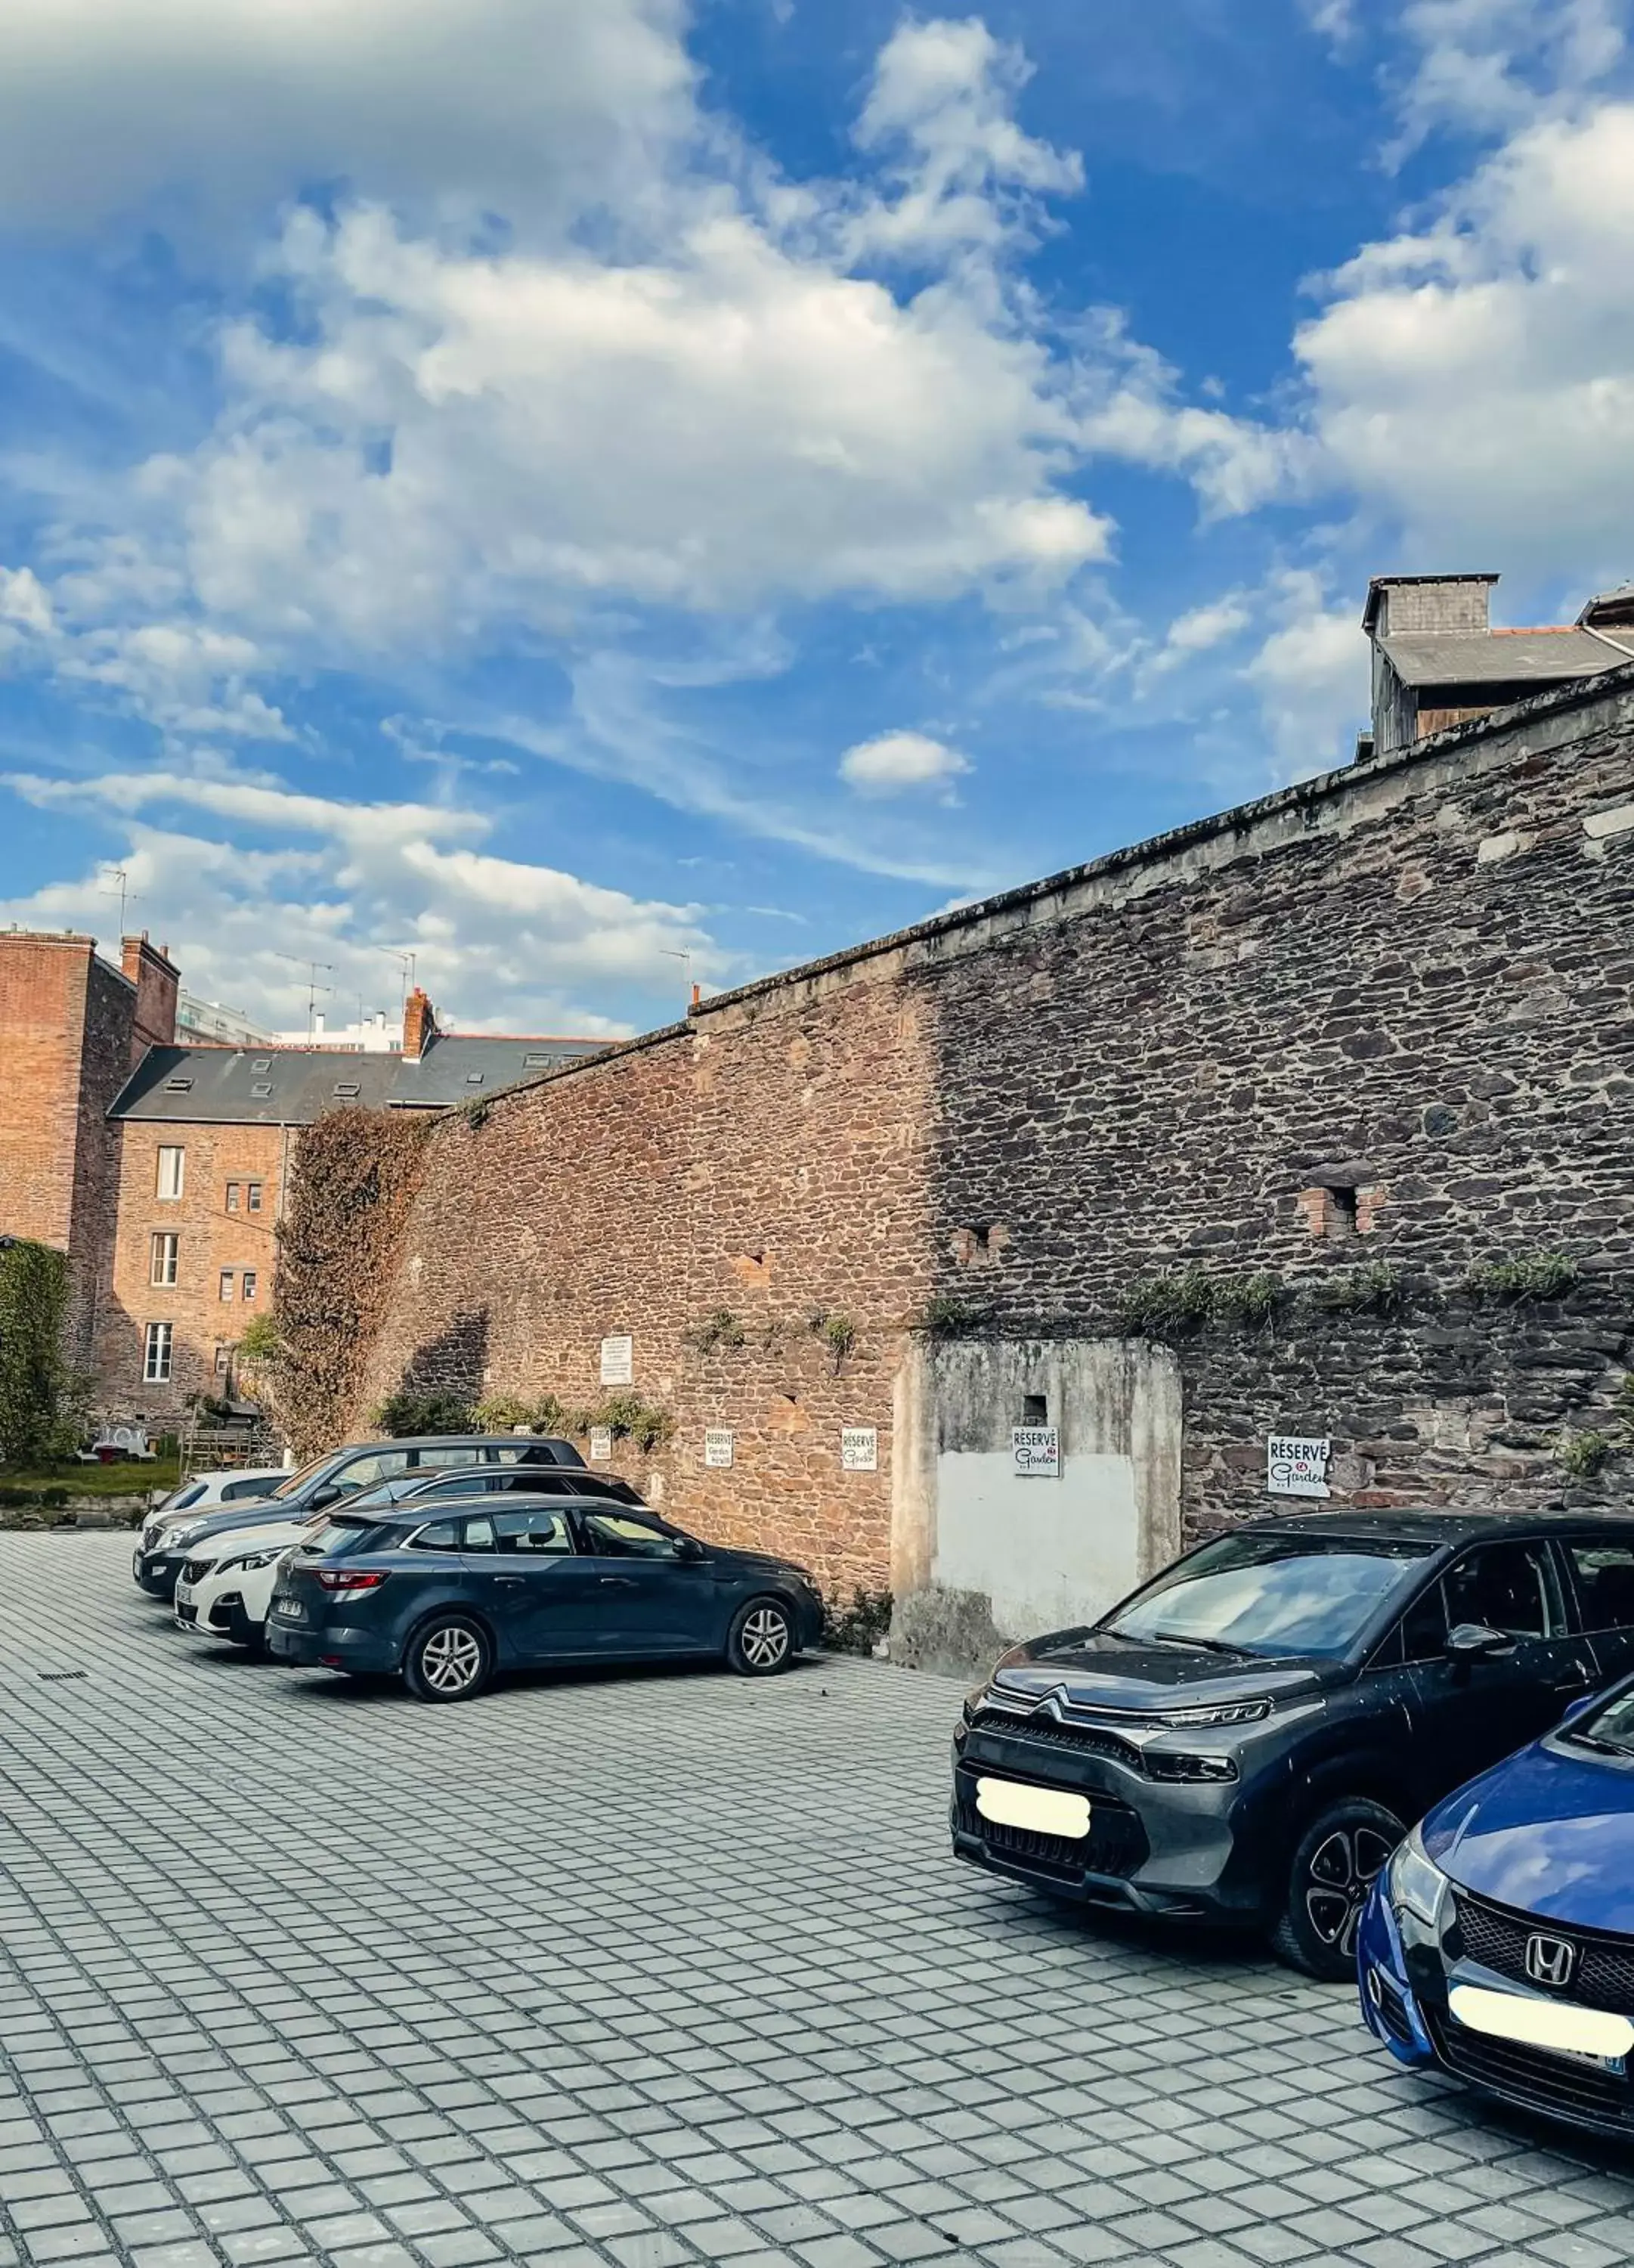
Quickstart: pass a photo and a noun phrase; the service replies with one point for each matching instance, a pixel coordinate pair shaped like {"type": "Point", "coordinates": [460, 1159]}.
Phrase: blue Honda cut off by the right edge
{"type": "Point", "coordinates": [1499, 1943]}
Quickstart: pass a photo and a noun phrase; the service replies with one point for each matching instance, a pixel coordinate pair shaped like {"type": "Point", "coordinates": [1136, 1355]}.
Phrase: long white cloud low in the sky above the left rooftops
{"type": "Point", "coordinates": [500, 942]}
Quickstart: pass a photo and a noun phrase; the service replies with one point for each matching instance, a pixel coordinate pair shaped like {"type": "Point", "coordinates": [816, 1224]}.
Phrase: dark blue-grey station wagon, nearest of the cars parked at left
{"type": "Point", "coordinates": [450, 1598]}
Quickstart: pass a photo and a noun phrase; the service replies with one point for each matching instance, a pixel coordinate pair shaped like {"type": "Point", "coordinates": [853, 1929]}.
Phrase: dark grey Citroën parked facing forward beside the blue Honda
{"type": "Point", "coordinates": [1250, 1734]}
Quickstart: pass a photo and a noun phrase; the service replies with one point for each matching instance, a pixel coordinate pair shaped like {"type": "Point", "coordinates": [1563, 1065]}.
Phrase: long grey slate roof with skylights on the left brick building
{"type": "Point", "coordinates": [296, 1085]}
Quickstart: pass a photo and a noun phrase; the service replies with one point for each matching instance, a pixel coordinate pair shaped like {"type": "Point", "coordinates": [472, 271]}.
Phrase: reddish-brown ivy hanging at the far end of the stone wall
{"type": "Point", "coordinates": [352, 1187]}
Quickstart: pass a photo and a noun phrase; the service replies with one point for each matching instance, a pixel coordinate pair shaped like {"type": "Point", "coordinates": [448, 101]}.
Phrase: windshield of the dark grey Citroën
{"type": "Point", "coordinates": [1270, 1596]}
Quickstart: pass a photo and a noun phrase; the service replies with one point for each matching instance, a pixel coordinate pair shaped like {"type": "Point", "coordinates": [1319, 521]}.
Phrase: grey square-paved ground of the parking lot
{"type": "Point", "coordinates": [638, 1972]}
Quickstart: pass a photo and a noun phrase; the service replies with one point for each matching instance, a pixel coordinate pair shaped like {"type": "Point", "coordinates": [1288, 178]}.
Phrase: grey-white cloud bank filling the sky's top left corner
{"type": "Point", "coordinates": [538, 108]}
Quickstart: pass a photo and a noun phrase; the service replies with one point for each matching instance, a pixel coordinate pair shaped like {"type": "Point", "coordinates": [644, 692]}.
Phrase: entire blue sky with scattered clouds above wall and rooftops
{"type": "Point", "coordinates": [602, 496]}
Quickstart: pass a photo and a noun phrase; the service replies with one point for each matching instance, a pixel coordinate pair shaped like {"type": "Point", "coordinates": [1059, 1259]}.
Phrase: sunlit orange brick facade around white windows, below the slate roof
{"type": "Point", "coordinates": [210, 1242]}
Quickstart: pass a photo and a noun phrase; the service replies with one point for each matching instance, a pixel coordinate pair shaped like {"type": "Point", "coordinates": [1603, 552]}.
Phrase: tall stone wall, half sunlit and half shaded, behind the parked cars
{"type": "Point", "coordinates": [1184, 1151]}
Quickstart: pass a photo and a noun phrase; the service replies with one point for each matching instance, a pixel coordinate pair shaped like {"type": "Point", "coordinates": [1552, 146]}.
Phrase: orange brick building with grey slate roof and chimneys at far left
{"type": "Point", "coordinates": [162, 1169]}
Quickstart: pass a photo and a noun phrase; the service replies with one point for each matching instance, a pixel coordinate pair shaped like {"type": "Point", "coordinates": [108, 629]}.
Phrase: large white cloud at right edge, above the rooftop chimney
{"type": "Point", "coordinates": [1474, 382]}
